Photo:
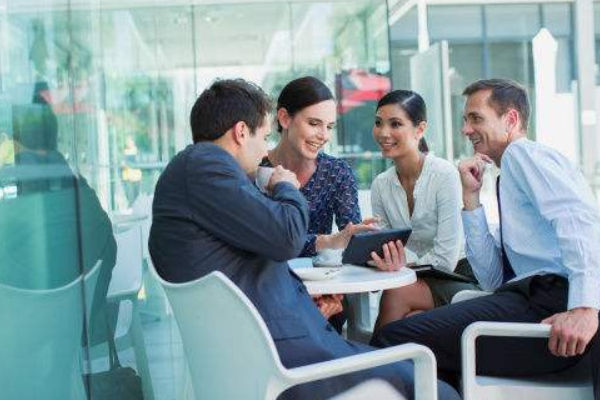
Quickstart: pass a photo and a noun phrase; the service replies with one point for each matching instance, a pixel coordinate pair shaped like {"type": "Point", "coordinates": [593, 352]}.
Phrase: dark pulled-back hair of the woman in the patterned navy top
{"type": "Point", "coordinates": [301, 93]}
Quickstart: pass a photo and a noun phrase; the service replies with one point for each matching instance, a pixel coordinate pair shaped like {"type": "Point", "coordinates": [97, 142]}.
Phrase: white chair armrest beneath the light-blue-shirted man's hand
{"type": "Point", "coordinates": [506, 329]}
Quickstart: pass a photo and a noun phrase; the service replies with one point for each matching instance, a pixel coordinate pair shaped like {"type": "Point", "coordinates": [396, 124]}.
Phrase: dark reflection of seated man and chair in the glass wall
{"type": "Point", "coordinates": [54, 237]}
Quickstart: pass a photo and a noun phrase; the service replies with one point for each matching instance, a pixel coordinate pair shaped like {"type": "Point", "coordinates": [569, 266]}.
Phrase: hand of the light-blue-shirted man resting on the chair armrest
{"type": "Point", "coordinates": [572, 331]}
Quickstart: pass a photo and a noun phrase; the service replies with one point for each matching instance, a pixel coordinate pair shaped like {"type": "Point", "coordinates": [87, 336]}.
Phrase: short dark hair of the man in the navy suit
{"type": "Point", "coordinates": [225, 103]}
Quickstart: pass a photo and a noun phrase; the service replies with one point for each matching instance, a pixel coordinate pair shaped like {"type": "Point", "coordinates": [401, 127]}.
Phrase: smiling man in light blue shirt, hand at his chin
{"type": "Point", "coordinates": [544, 264]}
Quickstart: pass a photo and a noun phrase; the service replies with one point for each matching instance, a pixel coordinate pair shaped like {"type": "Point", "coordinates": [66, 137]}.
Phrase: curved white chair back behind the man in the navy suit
{"type": "Point", "coordinates": [229, 350]}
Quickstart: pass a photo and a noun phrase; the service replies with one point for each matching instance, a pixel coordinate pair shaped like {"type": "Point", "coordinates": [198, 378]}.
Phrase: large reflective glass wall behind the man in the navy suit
{"type": "Point", "coordinates": [94, 101]}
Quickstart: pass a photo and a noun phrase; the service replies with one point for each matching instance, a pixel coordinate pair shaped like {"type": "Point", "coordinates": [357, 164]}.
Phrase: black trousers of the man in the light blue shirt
{"type": "Point", "coordinates": [528, 300]}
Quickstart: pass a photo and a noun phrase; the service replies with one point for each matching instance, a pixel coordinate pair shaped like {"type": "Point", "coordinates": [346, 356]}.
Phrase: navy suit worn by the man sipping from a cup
{"type": "Point", "coordinates": [208, 215]}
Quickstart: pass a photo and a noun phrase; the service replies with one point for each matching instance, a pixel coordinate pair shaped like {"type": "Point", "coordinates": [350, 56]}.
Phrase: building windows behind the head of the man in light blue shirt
{"type": "Point", "coordinates": [487, 40]}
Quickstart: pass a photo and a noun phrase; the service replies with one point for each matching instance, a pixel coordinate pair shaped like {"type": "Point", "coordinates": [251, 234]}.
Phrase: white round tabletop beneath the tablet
{"type": "Point", "coordinates": [354, 279]}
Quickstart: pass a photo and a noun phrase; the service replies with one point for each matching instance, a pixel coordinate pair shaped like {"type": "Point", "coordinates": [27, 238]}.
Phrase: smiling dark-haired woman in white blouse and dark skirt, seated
{"type": "Point", "coordinates": [420, 192]}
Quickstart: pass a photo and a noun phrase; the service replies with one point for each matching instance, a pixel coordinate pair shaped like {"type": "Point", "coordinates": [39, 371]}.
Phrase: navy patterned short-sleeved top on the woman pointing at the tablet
{"type": "Point", "coordinates": [330, 191]}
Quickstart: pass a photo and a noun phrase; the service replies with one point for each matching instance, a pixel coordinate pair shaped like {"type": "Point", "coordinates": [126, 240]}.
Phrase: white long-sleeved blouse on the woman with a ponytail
{"type": "Point", "coordinates": [437, 233]}
